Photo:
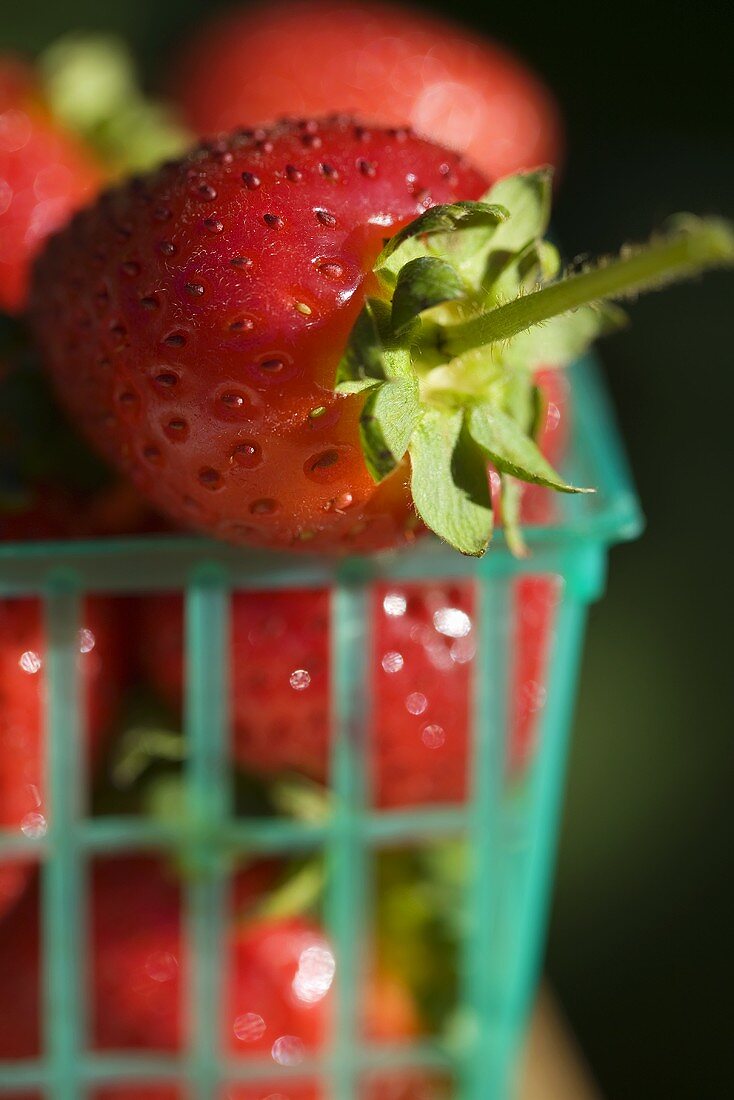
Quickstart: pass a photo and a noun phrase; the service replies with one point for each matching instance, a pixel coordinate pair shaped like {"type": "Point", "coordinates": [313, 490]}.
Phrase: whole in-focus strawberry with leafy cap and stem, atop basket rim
{"type": "Point", "coordinates": [228, 333]}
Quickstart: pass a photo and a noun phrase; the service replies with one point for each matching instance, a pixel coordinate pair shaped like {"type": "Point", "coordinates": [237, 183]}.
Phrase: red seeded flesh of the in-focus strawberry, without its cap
{"type": "Point", "coordinates": [193, 324]}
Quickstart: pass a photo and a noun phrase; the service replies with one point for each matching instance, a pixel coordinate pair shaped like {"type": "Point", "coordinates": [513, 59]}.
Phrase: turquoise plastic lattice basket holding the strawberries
{"type": "Point", "coordinates": [512, 829]}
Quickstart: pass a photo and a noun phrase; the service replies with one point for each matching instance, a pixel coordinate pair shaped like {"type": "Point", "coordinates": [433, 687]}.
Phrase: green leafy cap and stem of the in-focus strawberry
{"type": "Point", "coordinates": [470, 305]}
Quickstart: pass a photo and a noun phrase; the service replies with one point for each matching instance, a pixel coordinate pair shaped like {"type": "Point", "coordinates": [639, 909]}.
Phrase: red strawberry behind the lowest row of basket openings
{"type": "Point", "coordinates": [278, 976]}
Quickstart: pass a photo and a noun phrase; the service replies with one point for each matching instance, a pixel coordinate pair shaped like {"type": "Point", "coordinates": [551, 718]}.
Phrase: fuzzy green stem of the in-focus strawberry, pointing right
{"type": "Point", "coordinates": [694, 247]}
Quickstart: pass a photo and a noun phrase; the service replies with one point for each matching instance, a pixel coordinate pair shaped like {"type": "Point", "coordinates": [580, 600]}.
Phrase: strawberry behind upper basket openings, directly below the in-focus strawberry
{"type": "Point", "coordinates": [422, 668]}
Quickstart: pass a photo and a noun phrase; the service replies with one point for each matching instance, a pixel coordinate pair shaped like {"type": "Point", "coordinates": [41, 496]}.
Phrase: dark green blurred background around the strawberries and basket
{"type": "Point", "coordinates": [641, 939]}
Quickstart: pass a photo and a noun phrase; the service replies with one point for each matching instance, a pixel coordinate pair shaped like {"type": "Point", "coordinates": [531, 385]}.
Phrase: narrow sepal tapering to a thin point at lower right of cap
{"type": "Point", "coordinates": [512, 450]}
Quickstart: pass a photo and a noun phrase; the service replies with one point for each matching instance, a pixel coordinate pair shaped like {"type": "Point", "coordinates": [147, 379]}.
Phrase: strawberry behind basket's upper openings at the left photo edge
{"type": "Point", "coordinates": [23, 707]}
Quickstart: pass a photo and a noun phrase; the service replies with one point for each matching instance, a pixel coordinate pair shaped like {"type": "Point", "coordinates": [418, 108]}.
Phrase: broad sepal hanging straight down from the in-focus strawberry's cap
{"type": "Point", "coordinates": [450, 481]}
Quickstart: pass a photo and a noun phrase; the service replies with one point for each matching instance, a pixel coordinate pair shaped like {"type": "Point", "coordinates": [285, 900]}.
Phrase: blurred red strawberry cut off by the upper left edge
{"type": "Point", "coordinates": [46, 175]}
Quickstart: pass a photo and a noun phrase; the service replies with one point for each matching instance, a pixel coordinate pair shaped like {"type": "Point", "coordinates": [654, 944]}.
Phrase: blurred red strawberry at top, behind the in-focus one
{"type": "Point", "coordinates": [388, 64]}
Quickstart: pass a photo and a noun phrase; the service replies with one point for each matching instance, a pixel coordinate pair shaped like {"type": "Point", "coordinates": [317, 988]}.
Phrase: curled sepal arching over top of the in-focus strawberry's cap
{"type": "Point", "coordinates": [415, 240]}
